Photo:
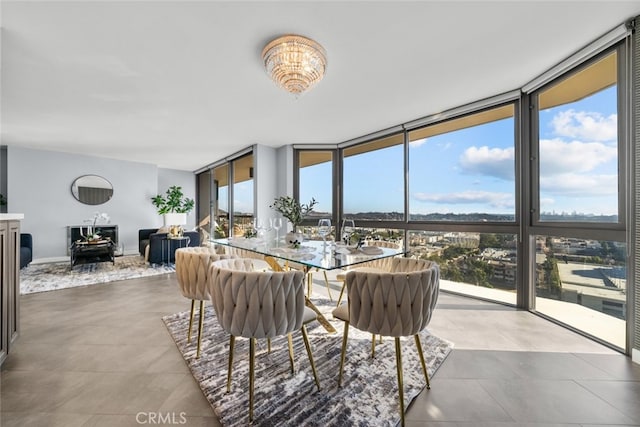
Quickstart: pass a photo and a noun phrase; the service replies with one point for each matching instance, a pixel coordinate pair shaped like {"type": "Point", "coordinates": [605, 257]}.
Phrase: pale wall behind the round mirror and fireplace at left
{"type": "Point", "coordinates": [39, 186]}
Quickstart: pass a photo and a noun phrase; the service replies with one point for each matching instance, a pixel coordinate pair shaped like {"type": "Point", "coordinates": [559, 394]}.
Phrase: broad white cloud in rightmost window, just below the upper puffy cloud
{"type": "Point", "coordinates": [558, 156]}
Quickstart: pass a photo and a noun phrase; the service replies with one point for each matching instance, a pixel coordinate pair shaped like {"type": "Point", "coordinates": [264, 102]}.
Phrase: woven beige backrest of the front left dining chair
{"type": "Point", "coordinates": [258, 304]}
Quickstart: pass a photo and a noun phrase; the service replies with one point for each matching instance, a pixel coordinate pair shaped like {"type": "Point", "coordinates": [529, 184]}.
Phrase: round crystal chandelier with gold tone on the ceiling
{"type": "Point", "coordinates": [294, 62]}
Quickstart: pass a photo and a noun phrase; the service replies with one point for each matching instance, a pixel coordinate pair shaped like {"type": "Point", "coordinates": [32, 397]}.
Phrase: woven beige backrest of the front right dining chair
{"type": "Point", "coordinates": [396, 303]}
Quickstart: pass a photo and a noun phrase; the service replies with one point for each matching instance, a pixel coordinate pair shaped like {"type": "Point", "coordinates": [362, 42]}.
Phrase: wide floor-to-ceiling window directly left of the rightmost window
{"type": "Point", "coordinates": [462, 198]}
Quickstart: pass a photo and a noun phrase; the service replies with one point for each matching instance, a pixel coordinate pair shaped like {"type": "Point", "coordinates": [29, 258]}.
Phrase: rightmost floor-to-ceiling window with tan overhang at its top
{"type": "Point", "coordinates": [580, 267]}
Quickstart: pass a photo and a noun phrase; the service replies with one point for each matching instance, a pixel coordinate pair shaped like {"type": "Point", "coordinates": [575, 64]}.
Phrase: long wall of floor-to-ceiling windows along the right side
{"type": "Point", "coordinates": [521, 198]}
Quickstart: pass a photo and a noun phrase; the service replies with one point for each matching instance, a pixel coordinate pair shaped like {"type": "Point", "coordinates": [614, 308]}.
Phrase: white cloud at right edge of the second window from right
{"type": "Point", "coordinates": [496, 162]}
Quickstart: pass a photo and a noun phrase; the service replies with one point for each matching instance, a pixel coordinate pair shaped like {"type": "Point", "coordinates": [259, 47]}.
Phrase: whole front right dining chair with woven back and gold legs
{"type": "Point", "coordinates": [396, 304]}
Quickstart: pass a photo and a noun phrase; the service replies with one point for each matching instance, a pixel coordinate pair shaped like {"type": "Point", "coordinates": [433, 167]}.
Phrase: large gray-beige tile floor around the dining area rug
{"type": "Point", "coordinates": [101, 356]}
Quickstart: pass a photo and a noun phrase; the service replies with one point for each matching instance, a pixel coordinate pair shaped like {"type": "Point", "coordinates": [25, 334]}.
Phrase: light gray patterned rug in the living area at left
{"type": "Point", "coordinates": [52, 276]}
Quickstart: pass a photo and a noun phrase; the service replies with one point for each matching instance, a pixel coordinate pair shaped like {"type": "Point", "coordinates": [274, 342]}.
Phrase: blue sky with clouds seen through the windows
{"type": "Point", "coordinates": [472, 170]}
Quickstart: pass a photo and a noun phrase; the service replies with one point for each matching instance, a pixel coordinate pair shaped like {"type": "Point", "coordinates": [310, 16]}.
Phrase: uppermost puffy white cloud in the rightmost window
{"type": "Point", "coordinates": [588, 126]}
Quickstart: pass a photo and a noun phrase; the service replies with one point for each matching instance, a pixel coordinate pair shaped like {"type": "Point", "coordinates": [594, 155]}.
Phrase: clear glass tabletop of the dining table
{"type": "Point", "coordinates": [312, 253]}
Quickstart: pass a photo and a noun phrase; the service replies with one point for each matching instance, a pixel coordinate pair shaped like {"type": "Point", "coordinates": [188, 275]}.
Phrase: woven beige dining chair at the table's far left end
{"type": "Point", "coordinates": [192, 272]}
